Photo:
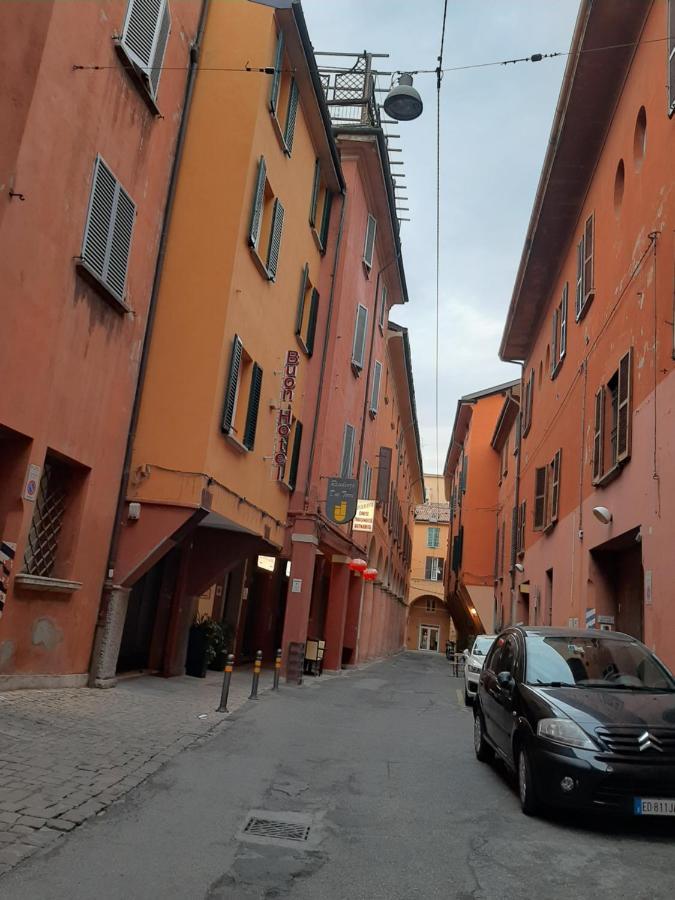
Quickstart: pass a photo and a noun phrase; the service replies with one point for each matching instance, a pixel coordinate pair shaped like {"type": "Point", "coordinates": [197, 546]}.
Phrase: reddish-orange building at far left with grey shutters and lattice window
{"type": "Point", "coordinates": [80, 231]}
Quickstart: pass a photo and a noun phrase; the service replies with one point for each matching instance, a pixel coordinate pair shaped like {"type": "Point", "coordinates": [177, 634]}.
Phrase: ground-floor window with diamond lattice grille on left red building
{"type": "Point", "coordinates": [42, 546]}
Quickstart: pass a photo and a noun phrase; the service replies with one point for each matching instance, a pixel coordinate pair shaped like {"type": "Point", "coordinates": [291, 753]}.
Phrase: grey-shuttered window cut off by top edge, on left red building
{"type": "Point", "coordinates": [145, 34]}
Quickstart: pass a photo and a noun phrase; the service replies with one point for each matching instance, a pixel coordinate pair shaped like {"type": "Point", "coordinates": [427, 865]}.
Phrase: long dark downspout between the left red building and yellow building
{"type": "Point", "coordinates": [143, 365]}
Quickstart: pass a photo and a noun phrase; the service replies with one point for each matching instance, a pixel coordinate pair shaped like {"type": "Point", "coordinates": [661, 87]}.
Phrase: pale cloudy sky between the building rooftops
{"type": "Point", "coordinates": [495, 123]}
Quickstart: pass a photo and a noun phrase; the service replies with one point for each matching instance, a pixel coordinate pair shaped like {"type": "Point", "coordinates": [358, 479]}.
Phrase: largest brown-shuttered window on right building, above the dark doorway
{"type": "Point", "coordinates": [613, 405]}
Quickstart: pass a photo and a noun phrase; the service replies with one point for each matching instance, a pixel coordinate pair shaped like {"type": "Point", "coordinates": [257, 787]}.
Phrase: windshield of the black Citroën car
{"type": "Point", "coordinates": [594, 662]}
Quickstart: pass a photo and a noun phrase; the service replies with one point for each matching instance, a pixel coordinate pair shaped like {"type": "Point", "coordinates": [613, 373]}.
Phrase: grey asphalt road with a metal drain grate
{"type": "Point", "coordinates": [378, 766]}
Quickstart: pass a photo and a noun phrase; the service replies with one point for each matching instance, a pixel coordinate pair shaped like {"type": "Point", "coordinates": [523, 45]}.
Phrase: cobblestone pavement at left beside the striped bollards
{"type": "Point", "coordinates": [65, 755]}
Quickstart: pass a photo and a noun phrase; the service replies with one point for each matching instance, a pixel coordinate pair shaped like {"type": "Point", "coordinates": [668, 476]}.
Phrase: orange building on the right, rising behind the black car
{"type": "Point", "coordinates": [591, 319]}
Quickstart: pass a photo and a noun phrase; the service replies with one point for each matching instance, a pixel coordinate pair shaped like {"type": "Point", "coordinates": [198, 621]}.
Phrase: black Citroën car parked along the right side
{"type": "Point", "coordinates": [585, 719]}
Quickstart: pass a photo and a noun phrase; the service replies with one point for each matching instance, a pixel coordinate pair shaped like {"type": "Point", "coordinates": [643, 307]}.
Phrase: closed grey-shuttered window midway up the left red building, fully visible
{"type": "Point", "coordinates": [106, 245]}
